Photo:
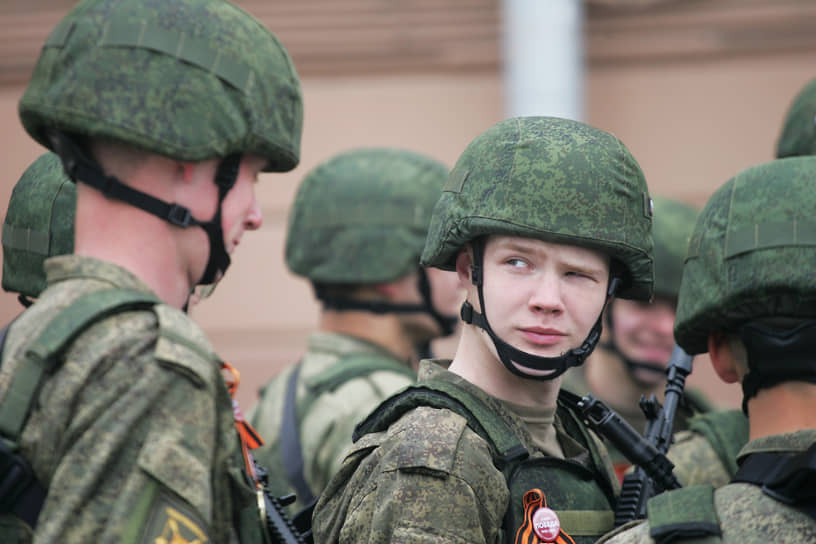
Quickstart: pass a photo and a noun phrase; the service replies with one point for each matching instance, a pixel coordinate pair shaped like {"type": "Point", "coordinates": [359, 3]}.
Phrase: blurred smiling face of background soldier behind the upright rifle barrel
{"type": "Point", "coordinates": [643, 331]}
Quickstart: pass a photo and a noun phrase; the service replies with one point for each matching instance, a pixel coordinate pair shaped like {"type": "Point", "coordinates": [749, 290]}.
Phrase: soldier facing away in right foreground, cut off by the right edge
{"type": "Point", "coordinates": [748, 298]}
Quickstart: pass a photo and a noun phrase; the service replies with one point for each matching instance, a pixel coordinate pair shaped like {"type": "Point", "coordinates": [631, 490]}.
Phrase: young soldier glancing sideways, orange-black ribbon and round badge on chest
{"type": "Point", "coordinates": [544, 220]}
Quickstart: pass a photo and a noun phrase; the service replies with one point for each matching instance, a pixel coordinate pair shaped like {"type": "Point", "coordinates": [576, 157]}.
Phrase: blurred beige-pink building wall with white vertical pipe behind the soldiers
{"type": "Point", "coordinates": [695, 88]}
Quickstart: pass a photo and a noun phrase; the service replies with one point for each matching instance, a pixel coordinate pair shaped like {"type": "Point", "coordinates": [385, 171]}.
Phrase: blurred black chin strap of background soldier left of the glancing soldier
{"type": "Point", "coordinates": [446, 323]}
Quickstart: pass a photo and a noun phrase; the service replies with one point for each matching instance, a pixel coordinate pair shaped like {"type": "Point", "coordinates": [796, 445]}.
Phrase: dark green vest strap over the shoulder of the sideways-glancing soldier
{"type": "Point", "coordinates": [438, 394]}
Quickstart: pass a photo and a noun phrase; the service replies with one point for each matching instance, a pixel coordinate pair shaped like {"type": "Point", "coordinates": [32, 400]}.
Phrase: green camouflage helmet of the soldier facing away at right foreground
{"type": "Point", "coordinates": [752, 253]}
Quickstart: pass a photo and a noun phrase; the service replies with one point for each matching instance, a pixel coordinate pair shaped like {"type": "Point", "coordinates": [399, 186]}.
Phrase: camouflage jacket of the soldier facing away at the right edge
{"type": "Point", "coordinates": [747, 515]}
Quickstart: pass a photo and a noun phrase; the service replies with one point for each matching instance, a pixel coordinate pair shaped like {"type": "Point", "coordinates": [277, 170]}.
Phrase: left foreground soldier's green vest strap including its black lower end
{"type": "Point", "coordinates": [20, 493]}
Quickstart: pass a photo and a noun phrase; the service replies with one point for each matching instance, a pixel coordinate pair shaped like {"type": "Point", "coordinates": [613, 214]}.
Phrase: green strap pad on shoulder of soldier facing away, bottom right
{"type": "Point", "coordinates": [684, 513]}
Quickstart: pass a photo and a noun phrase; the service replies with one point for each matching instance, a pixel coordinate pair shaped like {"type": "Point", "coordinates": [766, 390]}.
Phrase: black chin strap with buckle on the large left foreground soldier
{"type": "Point", "coordinates": [80, 167]}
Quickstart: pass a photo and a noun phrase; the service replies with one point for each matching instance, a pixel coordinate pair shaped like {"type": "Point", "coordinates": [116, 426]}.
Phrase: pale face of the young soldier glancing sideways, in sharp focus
{"type": "Point", "coordinates": [540, 297]}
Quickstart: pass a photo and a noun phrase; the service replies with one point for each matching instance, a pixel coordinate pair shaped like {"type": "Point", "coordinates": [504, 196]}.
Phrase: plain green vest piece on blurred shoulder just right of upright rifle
{"type": "Point", "coordinates": [726, 431]}
